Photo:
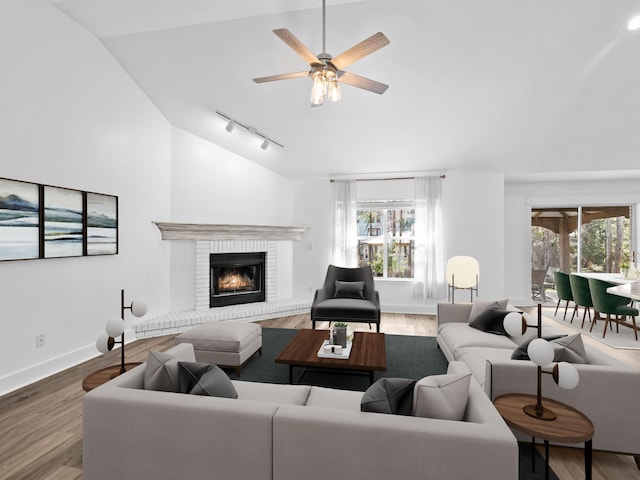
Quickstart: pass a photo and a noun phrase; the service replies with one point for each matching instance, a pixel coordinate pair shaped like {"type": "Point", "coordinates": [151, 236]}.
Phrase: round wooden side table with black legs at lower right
{"type": "Point", "coordinates": [570, 426]}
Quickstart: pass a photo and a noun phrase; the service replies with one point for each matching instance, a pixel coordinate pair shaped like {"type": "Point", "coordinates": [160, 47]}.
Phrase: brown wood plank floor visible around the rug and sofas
{"type": "Point", "coordinates": [41, 424]}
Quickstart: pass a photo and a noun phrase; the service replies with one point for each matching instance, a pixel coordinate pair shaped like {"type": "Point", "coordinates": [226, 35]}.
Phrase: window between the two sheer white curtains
{"type": "Point", "coordinates": [386, 238]}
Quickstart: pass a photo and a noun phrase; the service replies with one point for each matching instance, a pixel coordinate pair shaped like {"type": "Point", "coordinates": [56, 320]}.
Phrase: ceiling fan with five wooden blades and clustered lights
{"type": "Point", "coordinates": [327, 72]}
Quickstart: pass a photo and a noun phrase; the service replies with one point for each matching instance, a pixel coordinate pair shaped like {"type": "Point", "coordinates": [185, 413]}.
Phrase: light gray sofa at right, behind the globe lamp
{"type": "Point", "coordinates": [608, 391]}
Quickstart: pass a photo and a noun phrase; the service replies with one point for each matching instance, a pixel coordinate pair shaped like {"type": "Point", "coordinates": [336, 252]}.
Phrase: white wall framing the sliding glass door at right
{"type": "Point", "coordinates": [521, 197]}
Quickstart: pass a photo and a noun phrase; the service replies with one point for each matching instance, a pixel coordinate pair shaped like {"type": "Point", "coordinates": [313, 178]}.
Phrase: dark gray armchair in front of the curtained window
{"type": "Point", "coordinates": [349, 308]}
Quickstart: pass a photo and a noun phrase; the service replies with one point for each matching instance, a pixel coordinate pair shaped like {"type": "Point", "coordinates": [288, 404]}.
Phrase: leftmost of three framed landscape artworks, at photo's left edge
{"type": "Point", "coordinates": [19, 220]}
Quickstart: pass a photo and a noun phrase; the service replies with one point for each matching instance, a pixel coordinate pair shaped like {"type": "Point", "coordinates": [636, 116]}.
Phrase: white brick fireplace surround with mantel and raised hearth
{"type": "Point", "coordinates": [226, 239]}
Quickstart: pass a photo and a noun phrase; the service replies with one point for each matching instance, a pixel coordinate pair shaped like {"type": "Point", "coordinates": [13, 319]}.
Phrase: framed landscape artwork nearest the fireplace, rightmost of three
{"type": "Point", "coordinates": [102, 224]}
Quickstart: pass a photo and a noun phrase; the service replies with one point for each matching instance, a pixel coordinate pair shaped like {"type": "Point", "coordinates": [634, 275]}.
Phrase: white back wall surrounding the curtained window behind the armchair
{"type": "Point", "coordinates": [473, 222]}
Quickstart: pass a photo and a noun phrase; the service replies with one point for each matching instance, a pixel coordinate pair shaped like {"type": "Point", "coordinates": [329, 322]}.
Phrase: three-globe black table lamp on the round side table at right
{"type": "Point", "coordinates": [541, 353]}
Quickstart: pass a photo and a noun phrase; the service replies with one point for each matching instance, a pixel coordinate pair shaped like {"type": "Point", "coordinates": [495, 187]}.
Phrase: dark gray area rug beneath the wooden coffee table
{"type": "Point", "coordinates": [407, 357]}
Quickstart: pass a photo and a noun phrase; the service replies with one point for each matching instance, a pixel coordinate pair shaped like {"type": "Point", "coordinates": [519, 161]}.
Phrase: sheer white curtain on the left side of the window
{"type": "Point", "coordinates": [345, 229]}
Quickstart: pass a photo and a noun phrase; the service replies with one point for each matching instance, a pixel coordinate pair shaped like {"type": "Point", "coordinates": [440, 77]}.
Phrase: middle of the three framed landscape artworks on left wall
{"type": "Point", "coordinates": [63, 222]}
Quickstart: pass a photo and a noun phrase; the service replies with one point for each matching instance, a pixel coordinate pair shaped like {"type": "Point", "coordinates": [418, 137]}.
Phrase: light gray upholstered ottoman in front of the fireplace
{"type": "Point", "coordinates": [223, 343]}
